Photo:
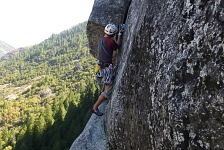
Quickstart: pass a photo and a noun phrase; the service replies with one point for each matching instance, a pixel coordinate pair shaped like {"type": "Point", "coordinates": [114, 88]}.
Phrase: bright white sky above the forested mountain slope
{"type": "Point", "coordinates": [28, 22]}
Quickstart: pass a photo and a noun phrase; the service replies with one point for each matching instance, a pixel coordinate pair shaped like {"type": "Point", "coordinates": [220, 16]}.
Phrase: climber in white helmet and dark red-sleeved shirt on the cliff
{"type": "Point", "coordinates": [105, 68]}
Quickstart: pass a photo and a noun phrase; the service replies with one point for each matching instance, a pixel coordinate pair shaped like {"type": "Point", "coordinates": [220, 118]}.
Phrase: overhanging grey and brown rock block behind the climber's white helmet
{"type": "Point", "coordinates": [104, 12]}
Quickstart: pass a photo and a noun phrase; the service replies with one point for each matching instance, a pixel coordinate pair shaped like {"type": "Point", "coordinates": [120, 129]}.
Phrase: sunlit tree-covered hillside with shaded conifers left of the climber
{"type": "Point", "coordinates": [47, 92]}
